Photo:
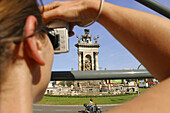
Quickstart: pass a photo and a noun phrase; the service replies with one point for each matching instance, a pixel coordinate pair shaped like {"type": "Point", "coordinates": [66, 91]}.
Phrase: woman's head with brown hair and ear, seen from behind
{"type": "Point", "coordinates": [22, 18]}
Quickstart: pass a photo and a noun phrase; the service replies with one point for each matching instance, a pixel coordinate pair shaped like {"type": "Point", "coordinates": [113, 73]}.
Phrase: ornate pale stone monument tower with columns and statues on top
{"type": "Point", "coordinates": [87, 52]}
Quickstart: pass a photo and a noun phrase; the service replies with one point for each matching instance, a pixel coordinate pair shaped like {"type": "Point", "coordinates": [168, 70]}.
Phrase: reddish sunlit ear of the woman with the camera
{"type": "Point", "coordinates": [34, 46]}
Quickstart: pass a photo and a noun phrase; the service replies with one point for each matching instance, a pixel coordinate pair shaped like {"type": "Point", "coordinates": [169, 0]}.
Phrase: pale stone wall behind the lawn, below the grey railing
{"type": "Point", "coordinates": [92, 90]}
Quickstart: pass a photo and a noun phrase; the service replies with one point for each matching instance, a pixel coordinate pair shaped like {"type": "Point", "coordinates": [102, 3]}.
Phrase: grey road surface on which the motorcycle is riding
{"type": "Point", "coordinates": [64, 108]}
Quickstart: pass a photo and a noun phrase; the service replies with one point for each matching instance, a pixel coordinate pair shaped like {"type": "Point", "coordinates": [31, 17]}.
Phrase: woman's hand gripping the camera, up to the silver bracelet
{"type": "Point", "coordinates": [77, 12]}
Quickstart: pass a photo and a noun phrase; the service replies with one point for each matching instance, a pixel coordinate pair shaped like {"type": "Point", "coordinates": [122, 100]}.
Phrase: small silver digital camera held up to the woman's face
{"type": "Point", "coordinates": [59, 34]}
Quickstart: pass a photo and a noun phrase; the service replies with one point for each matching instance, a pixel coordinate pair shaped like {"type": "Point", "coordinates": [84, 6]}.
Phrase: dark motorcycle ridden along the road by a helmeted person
{"type": "Point", "coordinates": [89, 109]}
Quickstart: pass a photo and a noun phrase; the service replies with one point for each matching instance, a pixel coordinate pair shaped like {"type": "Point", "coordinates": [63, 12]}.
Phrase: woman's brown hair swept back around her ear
{"type": "Point", "coordinates": [13, 14]}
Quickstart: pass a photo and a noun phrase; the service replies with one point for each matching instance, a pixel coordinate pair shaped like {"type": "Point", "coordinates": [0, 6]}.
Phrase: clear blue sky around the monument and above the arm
{"type": "Point", "coordinates": [112, 55]}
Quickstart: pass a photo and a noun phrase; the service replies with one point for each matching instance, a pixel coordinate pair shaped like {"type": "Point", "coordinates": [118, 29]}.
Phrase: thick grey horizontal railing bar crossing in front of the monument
{"type": "Point", "coordinates": [99, 75]}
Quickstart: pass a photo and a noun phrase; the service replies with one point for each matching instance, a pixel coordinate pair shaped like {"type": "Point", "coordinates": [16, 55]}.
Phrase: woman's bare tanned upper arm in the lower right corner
{"type": "Point", "coordinates": [154, 100]}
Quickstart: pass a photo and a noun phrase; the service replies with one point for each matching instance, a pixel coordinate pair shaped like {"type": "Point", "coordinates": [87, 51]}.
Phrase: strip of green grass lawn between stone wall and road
{"type": "Point", "coordinates": [78, 100]}
